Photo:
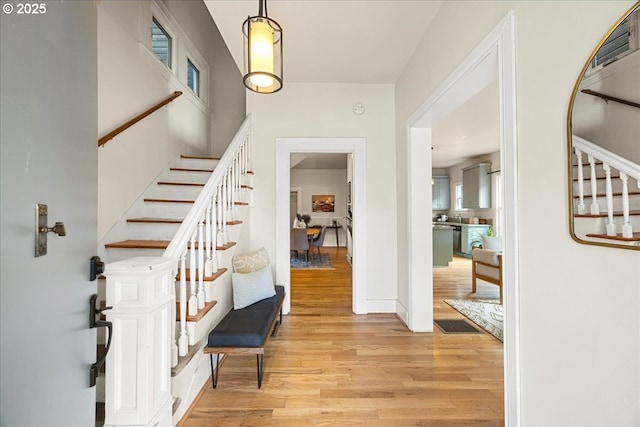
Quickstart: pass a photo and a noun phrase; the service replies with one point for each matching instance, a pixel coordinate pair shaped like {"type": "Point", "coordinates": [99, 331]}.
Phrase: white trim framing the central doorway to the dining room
{"type": "Point", "coordinates": [356, 146]}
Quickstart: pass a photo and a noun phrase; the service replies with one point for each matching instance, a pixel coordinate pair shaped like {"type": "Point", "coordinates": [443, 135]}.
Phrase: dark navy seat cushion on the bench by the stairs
{"type": "Point", "coordinates": [249, 326]}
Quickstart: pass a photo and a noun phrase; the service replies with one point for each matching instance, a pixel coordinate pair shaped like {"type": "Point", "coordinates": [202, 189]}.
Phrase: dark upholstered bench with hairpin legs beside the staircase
{"type": "Point", "coordinates": [246, 331]}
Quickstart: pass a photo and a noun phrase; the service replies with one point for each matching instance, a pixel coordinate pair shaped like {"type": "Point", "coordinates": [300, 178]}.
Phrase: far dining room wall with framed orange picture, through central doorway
{"type": "Point", "coordinates": [323, 181]}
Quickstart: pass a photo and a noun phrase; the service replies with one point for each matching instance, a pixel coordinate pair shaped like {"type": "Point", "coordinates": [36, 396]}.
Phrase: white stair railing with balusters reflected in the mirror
{"type": "Point", "coordinates": [626, 168]}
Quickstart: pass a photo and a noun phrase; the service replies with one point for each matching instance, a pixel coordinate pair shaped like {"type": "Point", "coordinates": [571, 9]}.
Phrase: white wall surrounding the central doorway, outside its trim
{"type": "Point", "coordinates": [325, 110]}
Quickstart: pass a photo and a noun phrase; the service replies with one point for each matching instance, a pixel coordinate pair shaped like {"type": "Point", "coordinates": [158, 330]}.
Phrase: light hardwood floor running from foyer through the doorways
{"type": "Point", "coordinates": [330, 367]}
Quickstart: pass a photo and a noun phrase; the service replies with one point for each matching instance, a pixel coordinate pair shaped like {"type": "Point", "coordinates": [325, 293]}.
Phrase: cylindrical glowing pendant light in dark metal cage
{"type": "Point", "coordinates": [262, 52]}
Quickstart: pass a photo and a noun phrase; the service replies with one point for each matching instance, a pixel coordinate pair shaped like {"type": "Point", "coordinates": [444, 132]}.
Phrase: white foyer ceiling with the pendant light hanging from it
{"type": "Point", "coordinates": [334, 41]}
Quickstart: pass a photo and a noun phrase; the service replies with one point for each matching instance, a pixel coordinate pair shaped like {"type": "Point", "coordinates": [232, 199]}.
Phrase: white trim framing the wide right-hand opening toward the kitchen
{"type": "Point", "coordinates": [450, 94]}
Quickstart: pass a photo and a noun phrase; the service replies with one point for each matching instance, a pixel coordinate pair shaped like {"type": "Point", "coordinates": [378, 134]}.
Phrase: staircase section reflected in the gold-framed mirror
{"type": "Point", "coordinates": [606, 191]}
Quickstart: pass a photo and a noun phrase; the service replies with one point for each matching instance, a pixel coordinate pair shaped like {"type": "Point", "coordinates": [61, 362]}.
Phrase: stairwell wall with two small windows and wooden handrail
{"type": "Point", "coordinates": [131, 79]}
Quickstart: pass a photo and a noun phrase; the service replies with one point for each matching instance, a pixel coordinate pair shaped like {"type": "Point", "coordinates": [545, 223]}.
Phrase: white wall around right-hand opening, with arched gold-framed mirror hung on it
{"type": "Point", "coordinates": [577, 369]}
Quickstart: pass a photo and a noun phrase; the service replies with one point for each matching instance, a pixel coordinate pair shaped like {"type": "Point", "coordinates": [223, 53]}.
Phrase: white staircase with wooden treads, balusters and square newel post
{"type": "Point", "coordinates": [191, 219]}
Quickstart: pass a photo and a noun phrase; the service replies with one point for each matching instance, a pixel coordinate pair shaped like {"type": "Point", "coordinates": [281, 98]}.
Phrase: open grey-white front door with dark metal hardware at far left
{"type": "Point", "coordinates": [48, 155]}
